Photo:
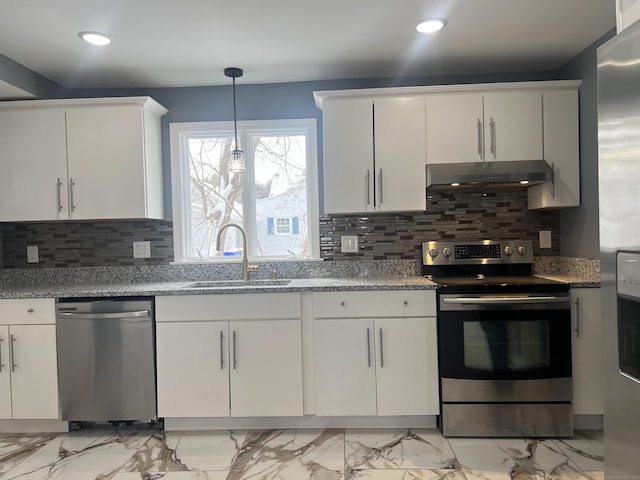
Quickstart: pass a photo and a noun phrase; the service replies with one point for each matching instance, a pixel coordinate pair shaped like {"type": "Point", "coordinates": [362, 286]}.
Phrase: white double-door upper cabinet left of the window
{"type": "Point", "coordinates": [95, 158]}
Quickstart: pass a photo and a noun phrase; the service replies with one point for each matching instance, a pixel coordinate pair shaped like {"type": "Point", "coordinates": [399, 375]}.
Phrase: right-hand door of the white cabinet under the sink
{"type": "Point", "coordinates": [266, 368]}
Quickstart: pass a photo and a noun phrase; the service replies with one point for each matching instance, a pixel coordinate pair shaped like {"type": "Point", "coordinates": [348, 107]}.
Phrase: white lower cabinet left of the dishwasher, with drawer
{"type": "Point", "coordinates": [28, 360]}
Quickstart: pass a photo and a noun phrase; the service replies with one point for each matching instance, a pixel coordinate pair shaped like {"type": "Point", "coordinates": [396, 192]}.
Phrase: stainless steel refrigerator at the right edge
{"type": "Point", "coordinates": [619, 186]}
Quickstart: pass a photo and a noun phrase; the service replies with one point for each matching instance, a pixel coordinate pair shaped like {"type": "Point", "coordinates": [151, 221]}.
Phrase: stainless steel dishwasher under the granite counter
{"type": "Point", "coordinates": [106, 359]}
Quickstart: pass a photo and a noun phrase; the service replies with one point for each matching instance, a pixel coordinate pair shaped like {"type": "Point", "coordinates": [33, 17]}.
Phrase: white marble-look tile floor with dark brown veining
{"type": "Point", "coordinates": [334, 454]}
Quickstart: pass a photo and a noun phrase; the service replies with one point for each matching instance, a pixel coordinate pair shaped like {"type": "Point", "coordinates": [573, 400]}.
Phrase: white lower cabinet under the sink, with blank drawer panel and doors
{"type": "Point", "coordinates": [229, 355]}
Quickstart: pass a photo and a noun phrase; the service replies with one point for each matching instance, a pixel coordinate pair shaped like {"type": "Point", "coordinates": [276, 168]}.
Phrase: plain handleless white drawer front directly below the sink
{"type": "Point", "coordinates": [249, 306]}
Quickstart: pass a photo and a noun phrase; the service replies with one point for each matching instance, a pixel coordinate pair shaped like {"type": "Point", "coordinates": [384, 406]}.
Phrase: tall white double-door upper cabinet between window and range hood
{"type": "Point", "coordinates": [374, 154]}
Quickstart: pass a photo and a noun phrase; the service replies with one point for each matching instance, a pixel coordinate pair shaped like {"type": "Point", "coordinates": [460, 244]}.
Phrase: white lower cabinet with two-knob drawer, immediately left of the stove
{"type": "Point", "coordinates": [375, 366]}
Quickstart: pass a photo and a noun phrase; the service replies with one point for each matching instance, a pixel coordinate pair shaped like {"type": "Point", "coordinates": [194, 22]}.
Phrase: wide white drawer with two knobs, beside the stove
{"type": "Point", "coordinates": [399, 303]}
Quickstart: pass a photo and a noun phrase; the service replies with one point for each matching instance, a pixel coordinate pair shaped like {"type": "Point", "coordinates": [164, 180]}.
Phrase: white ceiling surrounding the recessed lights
{"type": "Point", "coordinates": [162, 43]}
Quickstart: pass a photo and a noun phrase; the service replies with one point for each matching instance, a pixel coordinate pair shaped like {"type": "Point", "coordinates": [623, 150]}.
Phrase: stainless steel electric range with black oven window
{"type": "Point", "coordinates": [504, 341]}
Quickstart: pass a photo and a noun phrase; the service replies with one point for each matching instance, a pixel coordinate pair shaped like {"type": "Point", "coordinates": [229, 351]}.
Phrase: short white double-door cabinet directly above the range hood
{"type": "Point", "coordinates": [504, 126]}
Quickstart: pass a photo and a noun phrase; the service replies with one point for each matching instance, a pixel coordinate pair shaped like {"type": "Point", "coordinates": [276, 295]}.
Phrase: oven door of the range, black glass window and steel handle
{"type": "Point", "coordinates": [515, 344]}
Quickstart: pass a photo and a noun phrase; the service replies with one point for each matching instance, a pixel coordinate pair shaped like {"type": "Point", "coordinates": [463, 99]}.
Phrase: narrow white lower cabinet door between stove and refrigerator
{"type": "Point", "coordinates": [588, 375]}
